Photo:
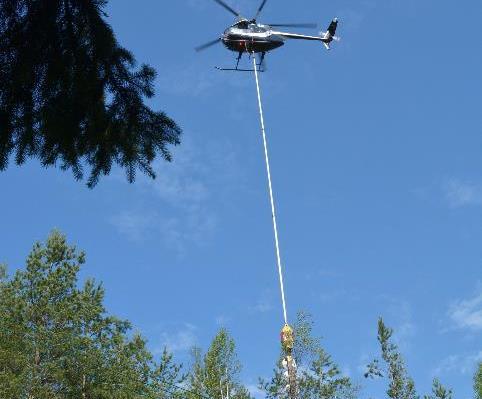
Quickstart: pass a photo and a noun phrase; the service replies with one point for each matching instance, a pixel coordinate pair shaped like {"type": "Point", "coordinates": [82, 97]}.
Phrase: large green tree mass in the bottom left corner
{"type": "Point", "coordinates": [57, 341]}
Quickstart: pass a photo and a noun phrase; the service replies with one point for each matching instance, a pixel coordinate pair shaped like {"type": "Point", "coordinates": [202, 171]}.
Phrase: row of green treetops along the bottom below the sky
{"type": "Point", "coordinates": [58, 341]}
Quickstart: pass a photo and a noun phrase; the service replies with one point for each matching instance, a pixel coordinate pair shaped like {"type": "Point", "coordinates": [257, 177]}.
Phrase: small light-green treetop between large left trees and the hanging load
{"type": "Point", "coordinates": [215, 375]}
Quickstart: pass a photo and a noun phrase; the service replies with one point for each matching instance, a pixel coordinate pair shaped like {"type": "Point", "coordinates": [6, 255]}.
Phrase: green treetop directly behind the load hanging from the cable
{"type": "Point", "coordinates": [318, 376]}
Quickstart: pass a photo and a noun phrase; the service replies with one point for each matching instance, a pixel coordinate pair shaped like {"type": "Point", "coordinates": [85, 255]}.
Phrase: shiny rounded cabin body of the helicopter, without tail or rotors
{"type": "Point", "coordinates": [251, 38]}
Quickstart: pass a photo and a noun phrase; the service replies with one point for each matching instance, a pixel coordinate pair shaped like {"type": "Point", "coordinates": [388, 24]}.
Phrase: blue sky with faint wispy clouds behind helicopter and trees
{"type": "Point", "coordinates": [376, 155]}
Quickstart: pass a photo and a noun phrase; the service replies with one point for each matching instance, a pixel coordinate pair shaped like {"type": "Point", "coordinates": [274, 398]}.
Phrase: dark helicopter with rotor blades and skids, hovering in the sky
{"type": "Point", "coordinates": [249, 36]}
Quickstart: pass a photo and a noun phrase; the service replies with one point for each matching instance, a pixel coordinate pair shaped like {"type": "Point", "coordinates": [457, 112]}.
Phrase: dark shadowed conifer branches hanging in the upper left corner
{"type": "Point", "coordinates": [70, 95]}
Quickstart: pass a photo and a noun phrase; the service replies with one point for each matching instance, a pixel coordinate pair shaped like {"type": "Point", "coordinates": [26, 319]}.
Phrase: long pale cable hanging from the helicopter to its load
{"type": "Point", "coordinates": [273, 211]}
